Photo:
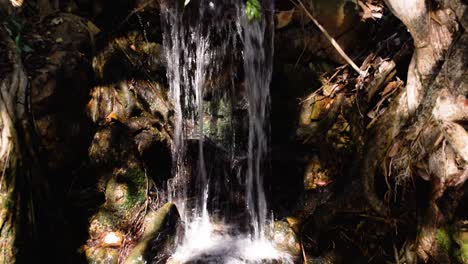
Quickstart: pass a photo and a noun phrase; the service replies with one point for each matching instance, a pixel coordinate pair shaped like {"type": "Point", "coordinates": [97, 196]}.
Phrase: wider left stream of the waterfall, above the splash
{"type": "Point", "coordinates": [192, 59]}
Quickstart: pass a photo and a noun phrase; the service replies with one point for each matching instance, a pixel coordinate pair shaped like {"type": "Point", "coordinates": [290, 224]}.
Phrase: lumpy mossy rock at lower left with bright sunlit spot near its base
{"type": "Point", "coordinates": [122, 178]}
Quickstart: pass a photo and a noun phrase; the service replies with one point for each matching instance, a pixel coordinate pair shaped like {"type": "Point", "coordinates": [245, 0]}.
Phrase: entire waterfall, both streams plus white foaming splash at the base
{"type": "Point", "coordinates": [200, 44]}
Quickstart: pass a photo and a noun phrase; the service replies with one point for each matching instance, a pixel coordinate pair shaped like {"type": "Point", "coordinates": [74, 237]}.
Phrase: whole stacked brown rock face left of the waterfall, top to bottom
{"type": "Point", "coordinates": [130, 151]}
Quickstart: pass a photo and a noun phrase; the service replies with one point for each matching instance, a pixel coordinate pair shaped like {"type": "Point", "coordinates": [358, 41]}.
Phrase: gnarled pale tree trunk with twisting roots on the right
{"type": "Point", "coordinates": [433, 105]}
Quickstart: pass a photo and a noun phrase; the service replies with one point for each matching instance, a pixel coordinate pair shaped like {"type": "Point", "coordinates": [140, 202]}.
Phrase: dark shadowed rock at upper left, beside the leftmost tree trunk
{"type": "Point", "coordinates": [61, 77]}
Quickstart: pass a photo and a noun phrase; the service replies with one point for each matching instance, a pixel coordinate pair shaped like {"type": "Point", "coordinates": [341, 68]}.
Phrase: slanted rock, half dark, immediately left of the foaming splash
{"type": "Point", "coordinates": [158, 239]}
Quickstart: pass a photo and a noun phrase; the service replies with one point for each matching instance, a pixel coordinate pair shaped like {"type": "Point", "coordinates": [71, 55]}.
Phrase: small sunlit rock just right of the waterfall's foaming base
{"type": "Point", "coordinates": [284, 238]}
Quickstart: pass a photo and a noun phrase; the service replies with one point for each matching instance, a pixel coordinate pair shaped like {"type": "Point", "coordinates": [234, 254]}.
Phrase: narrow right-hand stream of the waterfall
{"type": "Point", "coordinates": [257, 39]}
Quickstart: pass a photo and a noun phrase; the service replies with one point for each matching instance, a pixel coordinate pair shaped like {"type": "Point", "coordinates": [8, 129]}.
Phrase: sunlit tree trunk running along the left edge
{"type": "Point", "coordinates": [13, 83]}
